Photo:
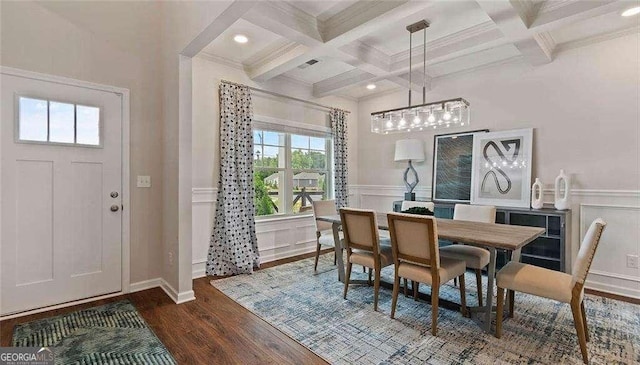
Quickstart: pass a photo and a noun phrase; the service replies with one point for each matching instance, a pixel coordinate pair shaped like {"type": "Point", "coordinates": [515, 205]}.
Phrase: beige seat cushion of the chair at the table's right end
{"type": "Point", "coordinates": [535, 280]}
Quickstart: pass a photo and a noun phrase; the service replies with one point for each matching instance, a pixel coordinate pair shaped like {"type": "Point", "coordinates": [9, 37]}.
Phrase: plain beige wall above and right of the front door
{"type": "Point", "coordinates": [112, 43]}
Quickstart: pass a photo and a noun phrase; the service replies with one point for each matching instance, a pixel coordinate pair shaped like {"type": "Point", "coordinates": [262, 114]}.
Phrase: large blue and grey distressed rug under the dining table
{"type": "Point", "coordinates": [309, 308]}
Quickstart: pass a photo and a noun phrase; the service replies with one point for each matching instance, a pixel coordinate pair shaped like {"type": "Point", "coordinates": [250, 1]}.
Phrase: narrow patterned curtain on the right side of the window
{"type": "Point", "coordinates": [339, 130]}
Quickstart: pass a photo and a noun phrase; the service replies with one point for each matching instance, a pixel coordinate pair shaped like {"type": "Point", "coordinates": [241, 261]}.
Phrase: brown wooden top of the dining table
{"type": "Point", "coordinates": [495, 235]}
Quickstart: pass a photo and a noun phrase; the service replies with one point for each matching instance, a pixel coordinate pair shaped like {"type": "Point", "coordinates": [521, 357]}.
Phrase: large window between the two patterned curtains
{"type": "Point", "coordinates": [290, 171]}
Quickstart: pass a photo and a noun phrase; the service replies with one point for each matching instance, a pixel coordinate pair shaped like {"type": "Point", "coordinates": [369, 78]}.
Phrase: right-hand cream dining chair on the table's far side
{"type": "Point", "coordinates": [475, 257]}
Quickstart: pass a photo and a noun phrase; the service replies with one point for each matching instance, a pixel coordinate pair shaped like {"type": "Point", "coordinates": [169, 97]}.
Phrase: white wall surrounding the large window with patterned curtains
{"type": "Point", "coordinates": [276, 238]}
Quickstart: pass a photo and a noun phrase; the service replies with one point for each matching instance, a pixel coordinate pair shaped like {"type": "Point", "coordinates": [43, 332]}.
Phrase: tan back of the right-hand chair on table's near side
{"type": "Point", "coordinates": [414, 239]}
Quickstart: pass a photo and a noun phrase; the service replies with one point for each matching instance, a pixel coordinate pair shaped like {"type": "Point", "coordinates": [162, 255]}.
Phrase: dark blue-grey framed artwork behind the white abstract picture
{"type": "Point", "coordinates": [452, 161]}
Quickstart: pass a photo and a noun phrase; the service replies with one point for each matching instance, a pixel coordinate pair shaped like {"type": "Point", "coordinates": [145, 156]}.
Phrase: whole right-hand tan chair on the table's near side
{"type": "Point", "coordinates": [414, 244]}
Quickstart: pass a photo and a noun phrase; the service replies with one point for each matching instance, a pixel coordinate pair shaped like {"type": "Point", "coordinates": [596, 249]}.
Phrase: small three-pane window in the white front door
{"type": "Point", "coordinates": [46, 121]}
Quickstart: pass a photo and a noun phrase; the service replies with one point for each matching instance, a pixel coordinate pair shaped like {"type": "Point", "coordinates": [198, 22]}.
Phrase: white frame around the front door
{"type": "Point", "coordinates": [126, 203]}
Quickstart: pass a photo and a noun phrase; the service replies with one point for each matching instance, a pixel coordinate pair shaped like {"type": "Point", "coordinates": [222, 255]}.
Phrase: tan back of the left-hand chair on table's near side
{"type": "Point", "coordinates": [360, 229]}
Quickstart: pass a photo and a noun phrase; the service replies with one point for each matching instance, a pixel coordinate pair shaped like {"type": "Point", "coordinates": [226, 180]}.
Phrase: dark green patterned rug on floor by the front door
{"type": "Point", "coordinates": [114, 333]}
